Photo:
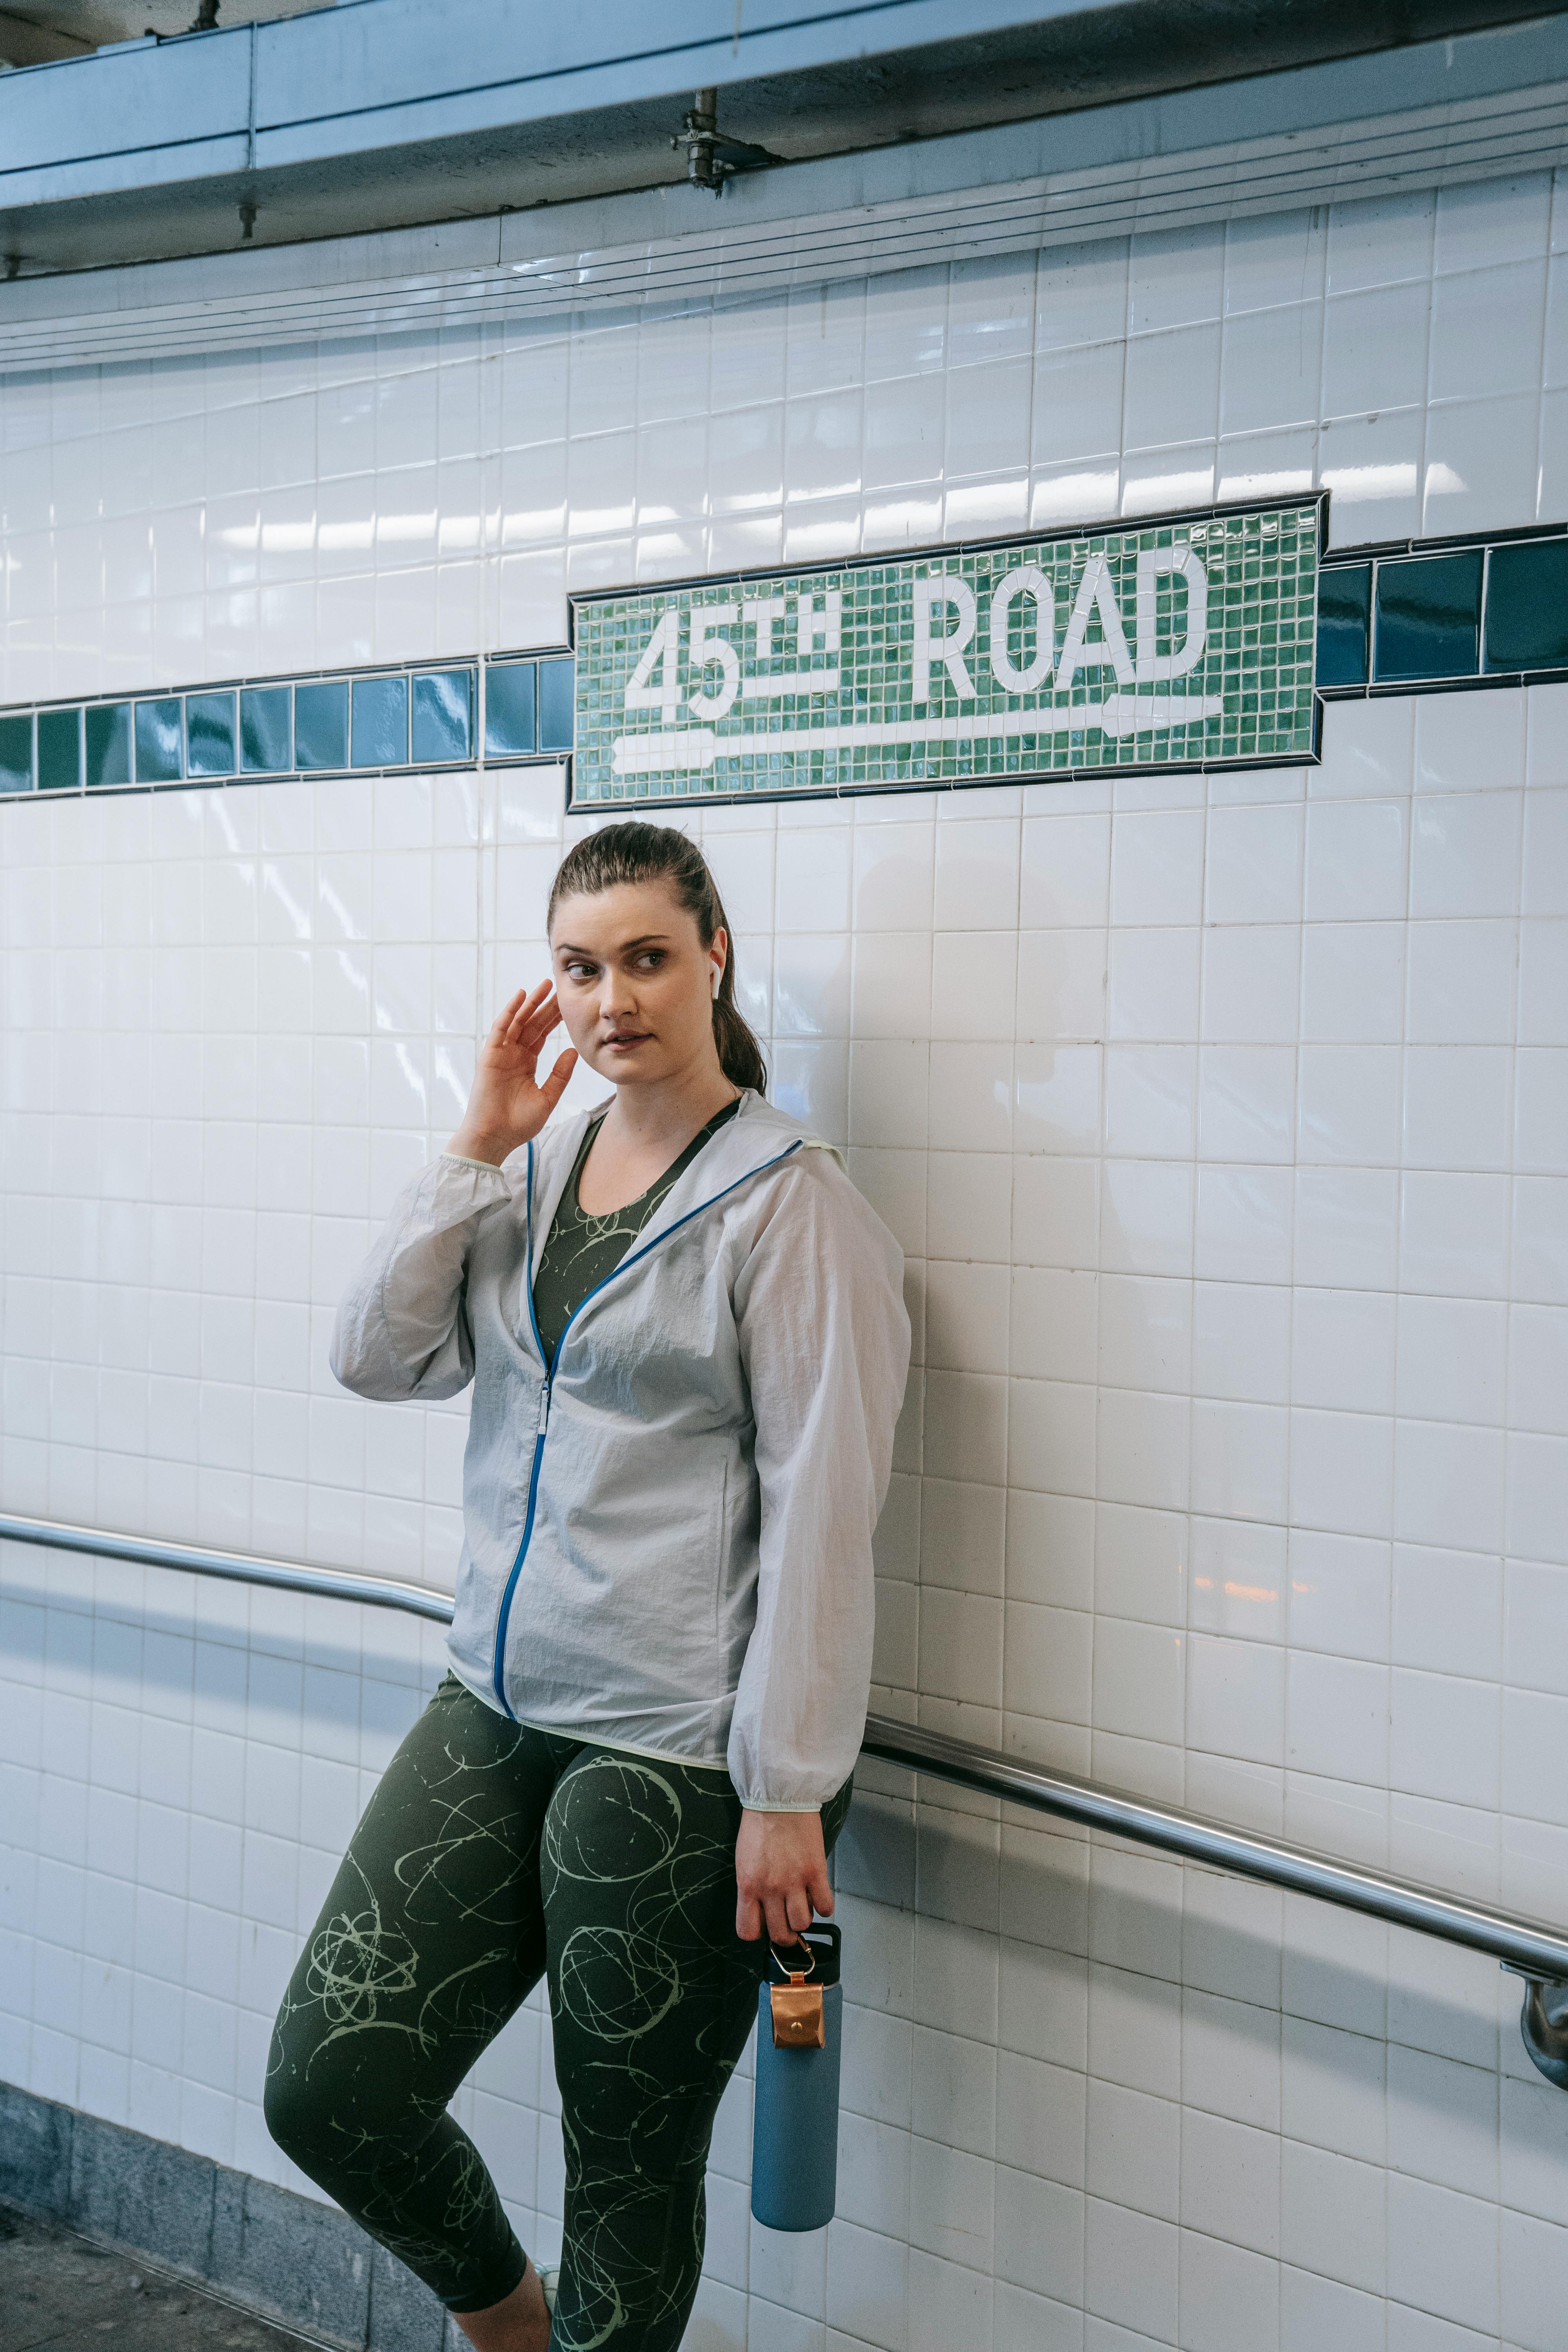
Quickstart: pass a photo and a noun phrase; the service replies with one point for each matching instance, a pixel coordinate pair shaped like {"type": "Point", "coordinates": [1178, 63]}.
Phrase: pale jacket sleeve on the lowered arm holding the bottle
{"type": "Point", "coordinates": [826, 1349]}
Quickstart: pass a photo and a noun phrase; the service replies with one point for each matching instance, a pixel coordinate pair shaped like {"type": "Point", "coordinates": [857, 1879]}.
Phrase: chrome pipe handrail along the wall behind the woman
{"type": "Point", "coordinates": [1525, 1946]}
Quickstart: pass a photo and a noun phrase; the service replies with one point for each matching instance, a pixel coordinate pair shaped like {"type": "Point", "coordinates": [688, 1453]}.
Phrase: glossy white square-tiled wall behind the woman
{"type": "Point", "coordinates": [1226, 1125]}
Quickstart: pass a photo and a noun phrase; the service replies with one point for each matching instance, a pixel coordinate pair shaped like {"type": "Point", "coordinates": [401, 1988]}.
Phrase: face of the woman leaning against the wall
{"type": "Point", "coordinates": [636, 982]}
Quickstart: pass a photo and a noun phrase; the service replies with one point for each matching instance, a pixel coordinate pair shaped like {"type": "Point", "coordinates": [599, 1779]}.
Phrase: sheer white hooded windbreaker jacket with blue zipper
{"type": "Point", "coordinates": [669, 1539]}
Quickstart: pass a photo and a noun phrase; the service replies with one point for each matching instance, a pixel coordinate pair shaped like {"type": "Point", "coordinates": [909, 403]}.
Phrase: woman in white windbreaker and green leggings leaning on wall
{"type": "Point", "coordinates": [688, 1344]}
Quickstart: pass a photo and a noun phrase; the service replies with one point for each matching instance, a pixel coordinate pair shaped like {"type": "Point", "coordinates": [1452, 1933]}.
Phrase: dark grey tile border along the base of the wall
{"type": "Point", "coordinates": [264, 2250]}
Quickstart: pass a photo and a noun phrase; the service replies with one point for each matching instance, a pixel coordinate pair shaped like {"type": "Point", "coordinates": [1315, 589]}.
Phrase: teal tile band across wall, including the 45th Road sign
{"type": "Point", "coordinates": [836, 709]}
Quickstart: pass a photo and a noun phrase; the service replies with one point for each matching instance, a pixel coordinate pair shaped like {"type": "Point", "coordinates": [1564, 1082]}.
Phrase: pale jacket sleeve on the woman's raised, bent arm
{"type": "Point", "coordinates": [403, 1325]}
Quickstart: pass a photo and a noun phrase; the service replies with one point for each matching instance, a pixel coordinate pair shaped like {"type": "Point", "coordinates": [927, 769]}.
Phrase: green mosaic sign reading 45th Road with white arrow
{"type": "Point", "coordinates": [1186, 643]}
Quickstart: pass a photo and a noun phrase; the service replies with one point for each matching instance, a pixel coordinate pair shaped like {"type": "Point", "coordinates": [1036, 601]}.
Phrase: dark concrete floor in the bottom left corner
{"type": "Point", "coordinates": [65, 2294]}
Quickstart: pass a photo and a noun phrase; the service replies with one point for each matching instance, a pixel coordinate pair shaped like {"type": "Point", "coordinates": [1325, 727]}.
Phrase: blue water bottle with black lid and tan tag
{"type": "Point", "coordinates": [796, 2118]}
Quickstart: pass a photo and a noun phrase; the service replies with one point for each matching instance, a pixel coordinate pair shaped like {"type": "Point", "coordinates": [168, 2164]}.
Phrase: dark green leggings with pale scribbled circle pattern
{"type": "Point", "coordinates": [490, 1857]}
